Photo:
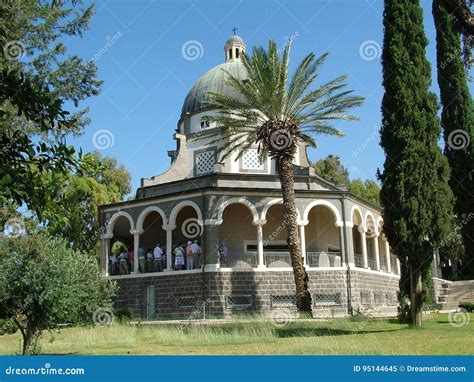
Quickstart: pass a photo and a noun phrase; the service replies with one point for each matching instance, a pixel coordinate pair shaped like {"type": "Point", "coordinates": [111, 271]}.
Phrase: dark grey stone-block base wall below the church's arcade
{"type": "Point", "coordinates": [223, 293]}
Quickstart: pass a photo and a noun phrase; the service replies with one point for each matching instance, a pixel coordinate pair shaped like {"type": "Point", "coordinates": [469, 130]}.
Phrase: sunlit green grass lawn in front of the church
{"type": "Point", "coordinates": [377, 337]}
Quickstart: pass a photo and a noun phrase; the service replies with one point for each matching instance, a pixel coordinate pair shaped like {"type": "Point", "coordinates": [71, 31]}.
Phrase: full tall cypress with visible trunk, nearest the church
{"type": "Point", "coordinates": [415, 193]}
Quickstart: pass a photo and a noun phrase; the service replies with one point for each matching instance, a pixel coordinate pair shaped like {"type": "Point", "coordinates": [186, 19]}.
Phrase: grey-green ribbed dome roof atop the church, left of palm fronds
{"type": "Point", "coordinates": [213, 81]}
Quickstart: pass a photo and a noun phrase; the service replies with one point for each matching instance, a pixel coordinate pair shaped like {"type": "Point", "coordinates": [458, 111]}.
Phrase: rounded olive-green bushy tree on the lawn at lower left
{"type": "Point", "coordinates": [45, 283]}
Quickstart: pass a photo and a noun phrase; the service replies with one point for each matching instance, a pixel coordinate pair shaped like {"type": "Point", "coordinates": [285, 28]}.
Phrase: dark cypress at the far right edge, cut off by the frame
{"type": "Point", "coordinates": [457, 121]}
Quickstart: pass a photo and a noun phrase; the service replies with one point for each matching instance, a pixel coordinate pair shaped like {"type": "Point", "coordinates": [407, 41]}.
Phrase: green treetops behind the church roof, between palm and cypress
{"type": "Point", "coordinates": [331, 169]}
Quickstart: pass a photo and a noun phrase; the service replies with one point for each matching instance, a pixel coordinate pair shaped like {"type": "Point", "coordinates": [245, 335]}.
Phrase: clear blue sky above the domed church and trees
{"type": "Point", "coordinates": [146, 76]}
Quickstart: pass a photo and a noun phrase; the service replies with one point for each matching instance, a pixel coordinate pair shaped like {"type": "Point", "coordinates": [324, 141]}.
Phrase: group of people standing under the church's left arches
{"type": "Point", "coordinates": [185, 256]}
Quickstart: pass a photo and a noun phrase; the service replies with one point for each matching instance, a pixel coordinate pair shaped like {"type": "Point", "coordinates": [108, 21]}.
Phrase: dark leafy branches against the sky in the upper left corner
{"type": "Point", "coordinates": [37, 78]}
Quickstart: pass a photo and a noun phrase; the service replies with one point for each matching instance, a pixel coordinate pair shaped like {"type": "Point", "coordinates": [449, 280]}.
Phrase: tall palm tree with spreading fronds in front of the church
{"type": "Point", "coordinates": [276, 113]}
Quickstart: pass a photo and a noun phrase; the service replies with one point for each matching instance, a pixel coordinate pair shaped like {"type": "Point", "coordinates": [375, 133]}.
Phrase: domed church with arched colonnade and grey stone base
{"type": "Point", "coordinates": [231, 210]}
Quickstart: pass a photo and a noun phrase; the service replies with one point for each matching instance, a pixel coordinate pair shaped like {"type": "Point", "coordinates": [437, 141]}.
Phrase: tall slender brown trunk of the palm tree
{"type": "Point", "coordinates": [285, 171]}
